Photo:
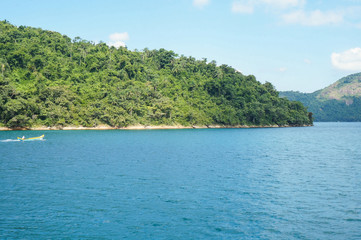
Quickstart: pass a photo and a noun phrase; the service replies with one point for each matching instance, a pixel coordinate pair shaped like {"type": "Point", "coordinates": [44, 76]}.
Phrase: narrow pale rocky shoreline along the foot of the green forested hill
{"type": "Point", "coordinates": [145, 127]}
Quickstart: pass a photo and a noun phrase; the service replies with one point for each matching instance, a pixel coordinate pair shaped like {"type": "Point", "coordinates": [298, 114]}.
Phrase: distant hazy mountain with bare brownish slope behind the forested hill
{"type": "Point", "coordinates": [340, 101]}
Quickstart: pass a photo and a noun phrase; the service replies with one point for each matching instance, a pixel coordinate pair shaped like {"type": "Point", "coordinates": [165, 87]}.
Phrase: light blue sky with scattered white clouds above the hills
{"type": "Point", "coordinates": [299, 45]}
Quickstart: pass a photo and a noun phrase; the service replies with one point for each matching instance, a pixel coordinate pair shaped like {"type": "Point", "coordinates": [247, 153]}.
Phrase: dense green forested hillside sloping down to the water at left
{"type": "Point", "coordinates": [48, 79]}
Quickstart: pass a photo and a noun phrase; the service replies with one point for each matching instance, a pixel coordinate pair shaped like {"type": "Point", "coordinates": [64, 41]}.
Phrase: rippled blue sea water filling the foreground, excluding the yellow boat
{"type": "Point", "coordinates": [283, 183]}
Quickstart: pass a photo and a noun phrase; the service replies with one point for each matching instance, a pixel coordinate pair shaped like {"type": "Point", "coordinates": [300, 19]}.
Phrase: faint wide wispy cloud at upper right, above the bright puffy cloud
{"type": "Point", "coordinates": [313, 18]}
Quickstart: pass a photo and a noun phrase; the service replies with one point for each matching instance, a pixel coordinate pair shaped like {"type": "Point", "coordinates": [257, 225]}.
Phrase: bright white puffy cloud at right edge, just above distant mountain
{"type": "Point", "coordinates": [347, 60]}
